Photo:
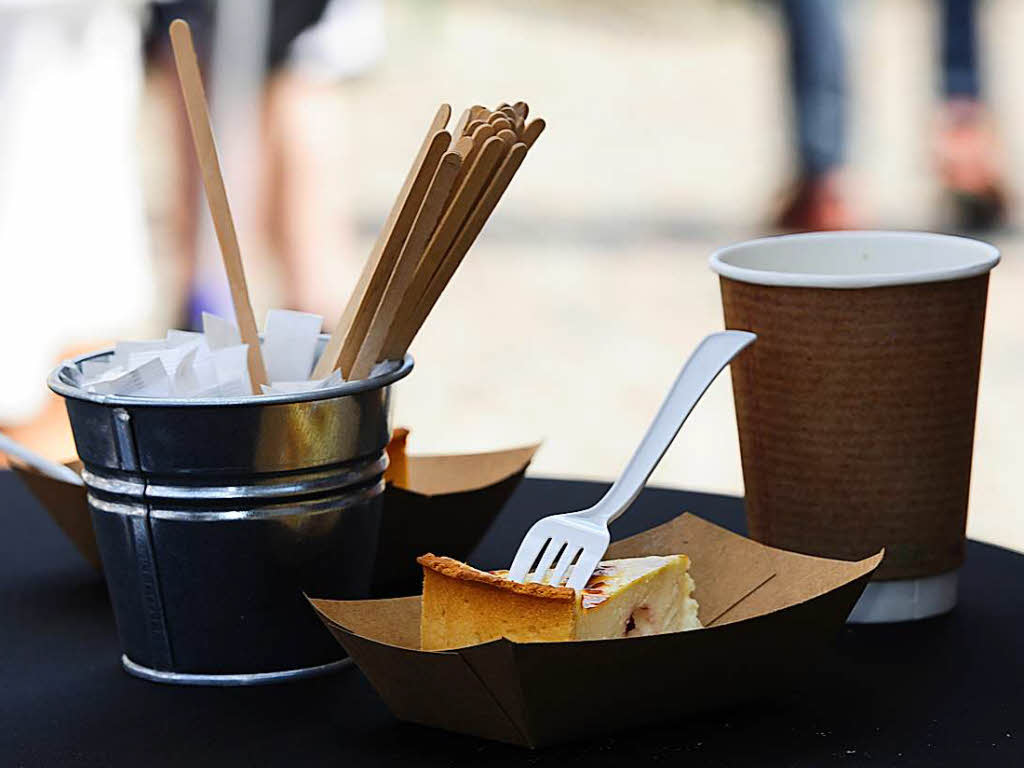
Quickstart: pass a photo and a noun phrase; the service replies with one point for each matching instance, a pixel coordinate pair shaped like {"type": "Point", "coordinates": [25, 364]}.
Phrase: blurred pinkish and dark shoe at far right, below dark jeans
{"type": "Point", "coordinates": [969, 163]}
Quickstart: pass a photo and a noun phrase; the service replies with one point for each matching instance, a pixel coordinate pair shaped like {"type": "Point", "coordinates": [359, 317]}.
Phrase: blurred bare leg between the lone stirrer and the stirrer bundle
{"type": "Point", "coordinates": [315, 47]}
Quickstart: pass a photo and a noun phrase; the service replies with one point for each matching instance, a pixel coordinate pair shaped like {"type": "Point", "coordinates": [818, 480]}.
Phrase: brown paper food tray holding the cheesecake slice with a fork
{"type": "Point", "coordinates": [766, 613]}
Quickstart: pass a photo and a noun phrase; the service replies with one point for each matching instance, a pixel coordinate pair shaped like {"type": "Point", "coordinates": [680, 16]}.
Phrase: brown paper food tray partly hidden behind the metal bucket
{"type": "Point", "coordinates": [444, 502]}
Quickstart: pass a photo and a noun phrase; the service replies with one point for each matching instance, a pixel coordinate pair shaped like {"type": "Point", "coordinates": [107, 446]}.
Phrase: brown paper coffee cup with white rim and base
{"type": "Point", "coordinates": [857, 407]}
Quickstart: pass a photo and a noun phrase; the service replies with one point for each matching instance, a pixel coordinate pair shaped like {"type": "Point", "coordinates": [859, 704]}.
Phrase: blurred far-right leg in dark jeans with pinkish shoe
{"type": "Point", "coordinates": [967, 148]}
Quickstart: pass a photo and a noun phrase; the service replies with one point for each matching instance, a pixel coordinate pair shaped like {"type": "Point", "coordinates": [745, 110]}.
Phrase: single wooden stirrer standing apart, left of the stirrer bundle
{"type": "Point", "coordinates": [217, 194]}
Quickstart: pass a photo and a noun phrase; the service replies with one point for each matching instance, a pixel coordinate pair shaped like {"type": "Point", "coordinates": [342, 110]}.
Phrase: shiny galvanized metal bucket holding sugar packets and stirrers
{"type": "Point", "coordinates": [214, 518]}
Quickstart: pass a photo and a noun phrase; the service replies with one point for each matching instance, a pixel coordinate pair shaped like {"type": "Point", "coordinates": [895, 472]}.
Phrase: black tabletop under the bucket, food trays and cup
{"type": "Point", "coordinates": [944, 692]}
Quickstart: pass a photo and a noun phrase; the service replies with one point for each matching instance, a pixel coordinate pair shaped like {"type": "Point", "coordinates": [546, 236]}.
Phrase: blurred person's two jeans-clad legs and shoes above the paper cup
{"type": "Point", "coordinates": [967, 152]}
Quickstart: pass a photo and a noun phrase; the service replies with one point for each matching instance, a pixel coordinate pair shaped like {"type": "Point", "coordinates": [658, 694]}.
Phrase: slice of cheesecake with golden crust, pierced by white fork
{"type": "Point", "coordinates": [624, 599]}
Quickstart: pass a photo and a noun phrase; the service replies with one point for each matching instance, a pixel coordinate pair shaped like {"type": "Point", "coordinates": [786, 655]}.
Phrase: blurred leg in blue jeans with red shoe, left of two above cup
{"type": "Point", "coordinates": [818, 74]}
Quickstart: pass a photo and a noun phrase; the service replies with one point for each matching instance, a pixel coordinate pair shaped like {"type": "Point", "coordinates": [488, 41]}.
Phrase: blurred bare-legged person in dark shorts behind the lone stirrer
{"type": "Point", "coordinates": [270, 66]}
